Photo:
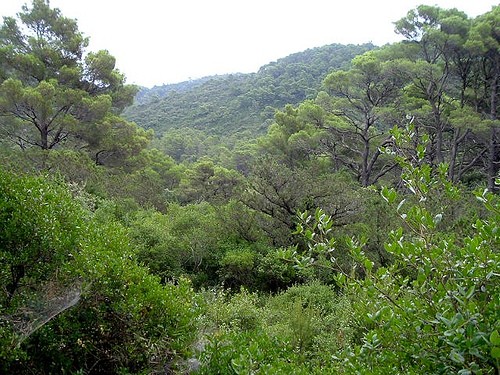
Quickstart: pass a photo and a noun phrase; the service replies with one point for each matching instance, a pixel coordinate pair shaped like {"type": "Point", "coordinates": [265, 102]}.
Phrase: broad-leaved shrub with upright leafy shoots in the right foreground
{"type": "Point", "coordinates": [435, 308]}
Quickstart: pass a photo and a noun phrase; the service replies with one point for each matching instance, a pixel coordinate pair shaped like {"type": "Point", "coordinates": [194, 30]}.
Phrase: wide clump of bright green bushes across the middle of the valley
{"type": "Point", "coordinates": [175, 243]}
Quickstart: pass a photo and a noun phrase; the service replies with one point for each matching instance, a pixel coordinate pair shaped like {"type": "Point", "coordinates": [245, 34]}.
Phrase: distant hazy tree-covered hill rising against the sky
{"type": "Point", "coordinates": [234, 103]}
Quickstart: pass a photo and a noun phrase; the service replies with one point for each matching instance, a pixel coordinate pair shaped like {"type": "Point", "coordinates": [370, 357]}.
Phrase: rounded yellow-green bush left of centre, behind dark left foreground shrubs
{"type": "Point", "coordinates": [176, 243]}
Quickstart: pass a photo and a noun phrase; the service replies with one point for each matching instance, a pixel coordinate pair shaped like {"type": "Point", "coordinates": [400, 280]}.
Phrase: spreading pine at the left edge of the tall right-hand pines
{"type": "Point", "coordinates": [360, 110]}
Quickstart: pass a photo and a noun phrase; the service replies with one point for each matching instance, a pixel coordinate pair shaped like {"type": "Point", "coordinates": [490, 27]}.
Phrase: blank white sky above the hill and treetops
{"type": "Point", "coordinates": [165, 41]}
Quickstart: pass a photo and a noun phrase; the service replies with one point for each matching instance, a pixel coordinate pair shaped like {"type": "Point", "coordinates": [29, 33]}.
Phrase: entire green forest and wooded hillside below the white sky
{"type": "Point", "coordinates": [336, 212]}
